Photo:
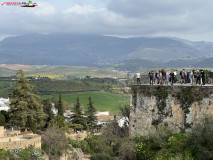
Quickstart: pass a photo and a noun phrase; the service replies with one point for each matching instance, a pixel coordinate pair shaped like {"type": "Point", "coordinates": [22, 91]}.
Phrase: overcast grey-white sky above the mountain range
{"type": "Point", "coordinates": [188, 19]}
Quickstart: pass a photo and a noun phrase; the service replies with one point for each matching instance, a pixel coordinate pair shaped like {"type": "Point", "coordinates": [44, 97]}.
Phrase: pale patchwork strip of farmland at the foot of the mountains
{"type": "Point", "coordinates": [60, 72]}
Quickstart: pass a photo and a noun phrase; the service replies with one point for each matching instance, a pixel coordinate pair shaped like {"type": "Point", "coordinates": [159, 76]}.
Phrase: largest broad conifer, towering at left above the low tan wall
{"type": "Point", "coordinates": [26, 108]}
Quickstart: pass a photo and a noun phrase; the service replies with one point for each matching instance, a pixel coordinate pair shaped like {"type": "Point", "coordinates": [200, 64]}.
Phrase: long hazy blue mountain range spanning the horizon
{"type": "Point", "coordinates": [95, 50]}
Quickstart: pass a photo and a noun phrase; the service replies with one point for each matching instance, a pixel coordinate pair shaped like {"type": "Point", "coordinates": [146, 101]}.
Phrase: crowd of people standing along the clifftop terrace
{"type": "Point", "coordinates": [170, 77]}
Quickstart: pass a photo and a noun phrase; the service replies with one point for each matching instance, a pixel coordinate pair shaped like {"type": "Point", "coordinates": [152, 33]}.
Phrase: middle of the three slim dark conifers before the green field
{"type": "Point", "coordinates": [77, 117]}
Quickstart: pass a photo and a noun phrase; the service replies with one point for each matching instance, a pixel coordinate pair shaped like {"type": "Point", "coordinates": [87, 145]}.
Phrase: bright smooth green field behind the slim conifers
{"type": "Point", "coordinates": [102, 101]}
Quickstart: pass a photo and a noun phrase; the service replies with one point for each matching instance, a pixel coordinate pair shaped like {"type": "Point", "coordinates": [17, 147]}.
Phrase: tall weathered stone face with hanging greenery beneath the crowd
{"type": "Point", "coordinates": [176, 106]}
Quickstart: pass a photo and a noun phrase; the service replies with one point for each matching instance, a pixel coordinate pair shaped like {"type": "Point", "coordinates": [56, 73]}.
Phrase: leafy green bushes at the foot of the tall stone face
{"type": "Point", "coordinates": [163, 145]}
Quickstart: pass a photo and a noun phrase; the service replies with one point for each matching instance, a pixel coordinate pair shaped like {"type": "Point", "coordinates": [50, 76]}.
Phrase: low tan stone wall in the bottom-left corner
{"type": "Point", "coordinates": [26, 142]}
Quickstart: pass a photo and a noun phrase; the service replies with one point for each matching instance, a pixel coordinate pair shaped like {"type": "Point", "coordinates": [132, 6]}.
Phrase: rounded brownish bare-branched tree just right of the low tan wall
{"type": "Point", "coordinates": [54, 142]}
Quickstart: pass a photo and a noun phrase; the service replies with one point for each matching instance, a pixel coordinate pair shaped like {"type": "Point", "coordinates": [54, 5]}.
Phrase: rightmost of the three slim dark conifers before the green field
{"type": "Point", "coordinates": [91, 117]}
